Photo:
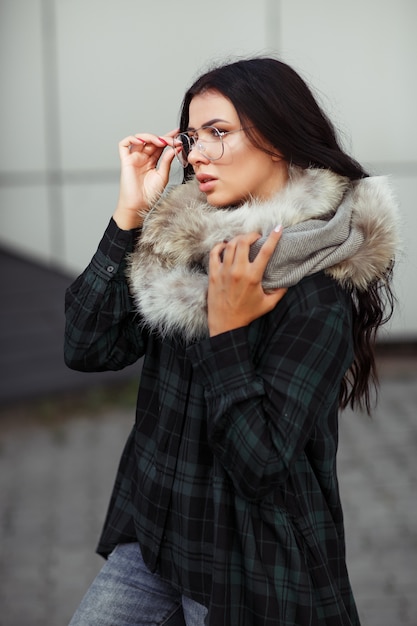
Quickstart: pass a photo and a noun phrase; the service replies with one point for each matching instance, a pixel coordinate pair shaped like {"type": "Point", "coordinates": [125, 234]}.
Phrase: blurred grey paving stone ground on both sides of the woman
{"type": "Point", "coordinates": [56, 472]}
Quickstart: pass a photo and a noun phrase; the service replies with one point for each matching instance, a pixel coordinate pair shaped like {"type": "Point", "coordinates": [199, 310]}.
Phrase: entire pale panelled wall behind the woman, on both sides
{"type": "Point", "coordinates": [78, 75]}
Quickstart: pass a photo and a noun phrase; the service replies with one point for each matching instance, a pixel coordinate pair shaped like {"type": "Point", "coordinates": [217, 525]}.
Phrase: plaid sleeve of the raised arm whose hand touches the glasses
{"type": "Point", "coordinates": [102, 331]}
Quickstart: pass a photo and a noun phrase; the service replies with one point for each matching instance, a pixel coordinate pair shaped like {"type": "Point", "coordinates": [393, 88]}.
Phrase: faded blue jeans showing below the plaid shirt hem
{"type": "Point", "coordinates": [126, 593]}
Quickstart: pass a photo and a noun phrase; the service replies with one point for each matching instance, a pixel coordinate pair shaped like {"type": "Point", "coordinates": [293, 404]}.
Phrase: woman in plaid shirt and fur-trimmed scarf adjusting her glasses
{"type": "Point", "coordinates": [254, 291]}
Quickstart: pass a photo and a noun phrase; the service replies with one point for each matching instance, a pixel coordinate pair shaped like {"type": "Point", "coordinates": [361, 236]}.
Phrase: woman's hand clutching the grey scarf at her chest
{"type": "Point", "coordinates": [235, 294]}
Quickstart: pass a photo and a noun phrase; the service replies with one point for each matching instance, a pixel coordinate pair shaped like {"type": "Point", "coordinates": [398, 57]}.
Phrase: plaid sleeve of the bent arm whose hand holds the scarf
{"type": "Point", "coordinates": [261, 415]}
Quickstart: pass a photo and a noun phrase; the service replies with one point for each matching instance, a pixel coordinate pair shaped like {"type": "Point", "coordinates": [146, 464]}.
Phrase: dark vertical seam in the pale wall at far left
{"type": "Point", "coordinates": [52, 130]}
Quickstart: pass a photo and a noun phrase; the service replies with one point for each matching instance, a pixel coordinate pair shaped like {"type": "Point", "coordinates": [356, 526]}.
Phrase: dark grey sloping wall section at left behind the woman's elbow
{"type": "Point", "coordinates": [31, 334]}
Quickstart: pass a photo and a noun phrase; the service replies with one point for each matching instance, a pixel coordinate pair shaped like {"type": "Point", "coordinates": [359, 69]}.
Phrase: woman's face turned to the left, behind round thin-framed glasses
{"type": "Point", "coordinates": [243, 171]}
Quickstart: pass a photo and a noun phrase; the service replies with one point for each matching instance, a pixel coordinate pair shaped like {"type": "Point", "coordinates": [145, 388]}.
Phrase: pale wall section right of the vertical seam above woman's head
{"type": "Point", "coordinates": [360, 56]}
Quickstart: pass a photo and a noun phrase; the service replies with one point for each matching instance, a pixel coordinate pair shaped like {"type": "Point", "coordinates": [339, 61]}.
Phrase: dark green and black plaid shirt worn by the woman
{"type": "Point", "coordinates": [228, 479]}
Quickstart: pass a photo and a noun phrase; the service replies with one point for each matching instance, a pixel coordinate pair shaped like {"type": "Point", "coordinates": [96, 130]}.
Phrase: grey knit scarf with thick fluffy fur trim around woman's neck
{"type": "Point", "coordinates": [168, 269]}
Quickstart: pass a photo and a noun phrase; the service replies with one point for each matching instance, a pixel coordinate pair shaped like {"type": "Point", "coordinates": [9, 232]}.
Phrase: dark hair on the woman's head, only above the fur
{"type": "Point", "coordinates": [274, 100]}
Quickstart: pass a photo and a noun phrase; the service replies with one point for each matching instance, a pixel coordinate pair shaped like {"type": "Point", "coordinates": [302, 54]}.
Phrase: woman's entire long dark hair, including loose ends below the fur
{"type": "Point", "coordinates": [278, 106]}
